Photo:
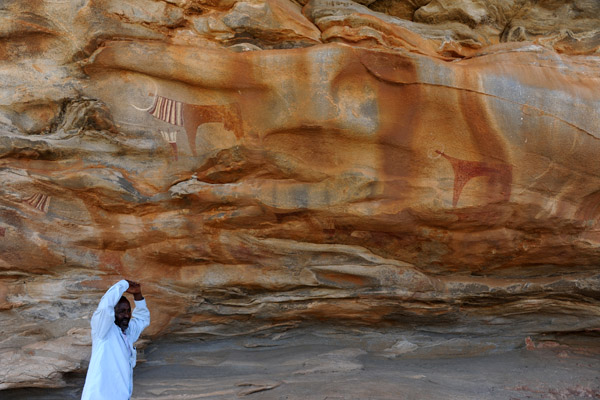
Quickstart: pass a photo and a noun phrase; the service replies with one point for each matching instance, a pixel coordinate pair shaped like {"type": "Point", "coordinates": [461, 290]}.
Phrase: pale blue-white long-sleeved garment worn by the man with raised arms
{"type": "Point", "coordinates": [110, 373]}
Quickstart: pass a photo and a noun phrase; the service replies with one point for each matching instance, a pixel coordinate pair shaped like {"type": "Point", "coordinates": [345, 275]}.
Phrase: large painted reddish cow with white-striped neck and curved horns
{"type": "Point", "coordinates": [191, 116]}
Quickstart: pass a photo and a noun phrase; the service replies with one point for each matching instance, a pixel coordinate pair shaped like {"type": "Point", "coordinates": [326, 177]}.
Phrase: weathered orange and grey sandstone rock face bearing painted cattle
{"type": "Point", "coordinates": [265, 164]}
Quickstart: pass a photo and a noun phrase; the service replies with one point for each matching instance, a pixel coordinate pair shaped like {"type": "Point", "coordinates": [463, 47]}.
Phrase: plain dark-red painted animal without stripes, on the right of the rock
{"type": "Point", "coordinates": [464, 171]}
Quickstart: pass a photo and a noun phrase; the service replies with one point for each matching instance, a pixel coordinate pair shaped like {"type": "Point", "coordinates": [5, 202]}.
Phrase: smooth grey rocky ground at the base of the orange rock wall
{"type": "Point", "coordinates": [358, 366]}
